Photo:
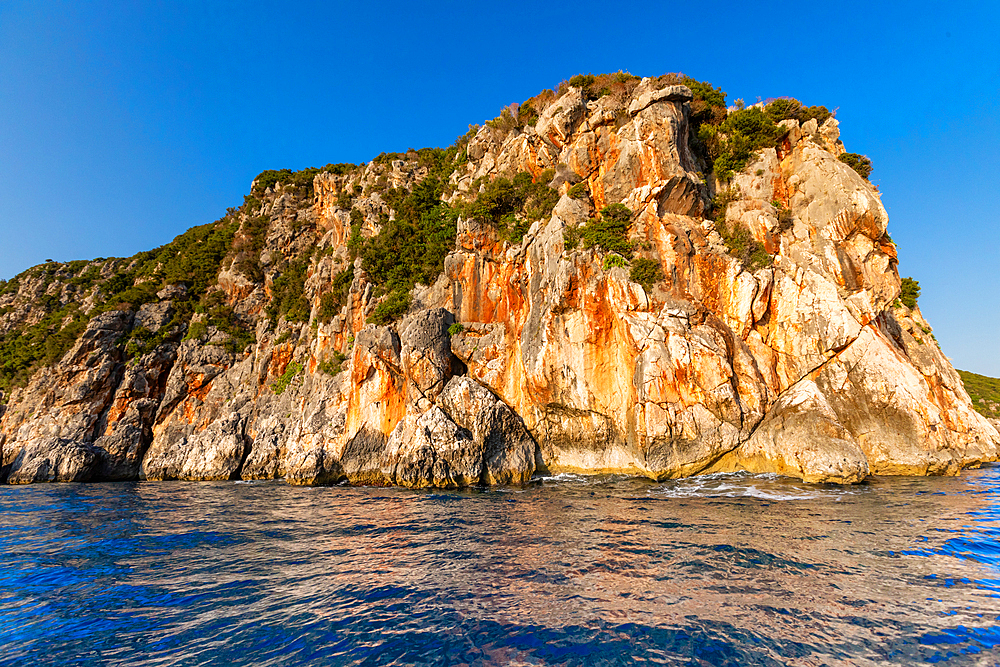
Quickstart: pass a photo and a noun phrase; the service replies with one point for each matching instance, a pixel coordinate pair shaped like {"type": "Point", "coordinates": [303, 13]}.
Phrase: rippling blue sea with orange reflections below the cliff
{"type": "Point", "coordinates": [724, 570]}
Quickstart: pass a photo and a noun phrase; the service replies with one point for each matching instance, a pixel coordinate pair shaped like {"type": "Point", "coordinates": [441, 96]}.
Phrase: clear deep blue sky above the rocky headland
{"type": "Point", "coordinates": [124, 123]}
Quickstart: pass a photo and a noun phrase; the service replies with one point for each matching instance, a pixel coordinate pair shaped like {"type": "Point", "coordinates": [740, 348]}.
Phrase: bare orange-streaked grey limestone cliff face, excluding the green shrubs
{"type": "Point", "coordinates": [532, 356]}
